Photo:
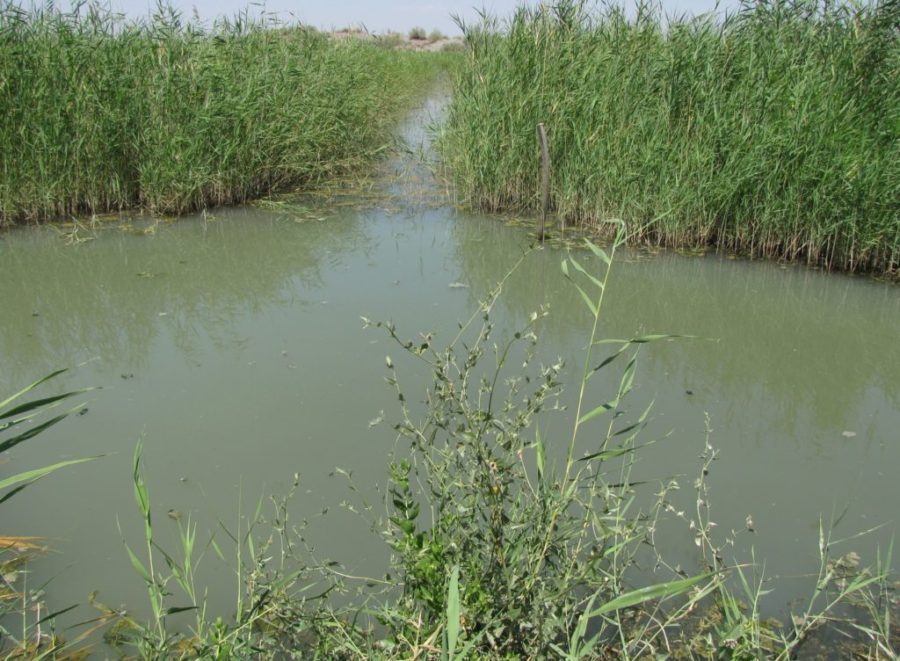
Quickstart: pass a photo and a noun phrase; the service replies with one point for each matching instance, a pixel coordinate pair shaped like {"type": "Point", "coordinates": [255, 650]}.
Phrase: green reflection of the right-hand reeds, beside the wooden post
{"type": "Point", "coordinates": [816, 345]}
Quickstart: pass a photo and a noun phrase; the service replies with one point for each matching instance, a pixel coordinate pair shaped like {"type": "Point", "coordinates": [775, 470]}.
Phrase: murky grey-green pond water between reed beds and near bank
{"type": "Point", "coordinates": [233, 346]}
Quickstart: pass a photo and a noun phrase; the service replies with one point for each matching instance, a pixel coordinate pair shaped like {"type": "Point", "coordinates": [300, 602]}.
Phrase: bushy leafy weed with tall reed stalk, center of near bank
{"type": "Point", "coordinates": [539, 551]}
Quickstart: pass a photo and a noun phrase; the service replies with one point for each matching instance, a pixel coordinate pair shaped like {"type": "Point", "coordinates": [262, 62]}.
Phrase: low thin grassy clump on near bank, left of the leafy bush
{"type": "Point", "coordinates": [278, 600]}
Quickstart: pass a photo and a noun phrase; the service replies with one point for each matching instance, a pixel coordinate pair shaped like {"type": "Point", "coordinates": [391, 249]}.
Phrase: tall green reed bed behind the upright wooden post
{"type": "Point", "coordinates": [773, 131]}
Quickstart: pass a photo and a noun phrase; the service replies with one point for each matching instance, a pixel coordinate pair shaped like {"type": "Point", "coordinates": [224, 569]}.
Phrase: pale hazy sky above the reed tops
{"type": "Point", "coordinates": [376, 15]}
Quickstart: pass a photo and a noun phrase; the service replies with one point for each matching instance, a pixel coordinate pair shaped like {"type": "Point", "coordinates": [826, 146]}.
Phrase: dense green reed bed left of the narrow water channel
{"type": "Point", "coordinates": [99, 114]}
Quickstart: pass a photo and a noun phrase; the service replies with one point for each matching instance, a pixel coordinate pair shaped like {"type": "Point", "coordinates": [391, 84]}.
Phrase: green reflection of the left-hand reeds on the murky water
{"type": "Point", "coordinates": [111, 297]}
